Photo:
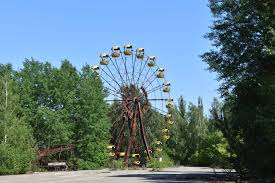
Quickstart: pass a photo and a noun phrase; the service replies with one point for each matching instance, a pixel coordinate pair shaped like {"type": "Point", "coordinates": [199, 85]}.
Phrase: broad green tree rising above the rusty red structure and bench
{"type": "Point", "coordinates": [46, 98]}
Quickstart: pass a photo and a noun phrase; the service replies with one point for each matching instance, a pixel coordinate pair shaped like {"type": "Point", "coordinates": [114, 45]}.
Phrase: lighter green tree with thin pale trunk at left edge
{"type": "Point", "coordinates": [16, 141]}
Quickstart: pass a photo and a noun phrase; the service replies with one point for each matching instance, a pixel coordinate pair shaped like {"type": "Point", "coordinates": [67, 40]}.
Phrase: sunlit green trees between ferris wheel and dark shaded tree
{"type": "Point", "coordinates": [195, 140]}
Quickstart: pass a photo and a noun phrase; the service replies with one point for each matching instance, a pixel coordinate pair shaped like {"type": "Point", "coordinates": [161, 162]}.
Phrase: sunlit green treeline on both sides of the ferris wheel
{"type": "Point", "coordinates": [43, 106]}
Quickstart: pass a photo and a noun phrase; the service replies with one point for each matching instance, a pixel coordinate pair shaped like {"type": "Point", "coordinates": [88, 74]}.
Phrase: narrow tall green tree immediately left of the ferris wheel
{"type": "Point", "coordinates": [92, 127]}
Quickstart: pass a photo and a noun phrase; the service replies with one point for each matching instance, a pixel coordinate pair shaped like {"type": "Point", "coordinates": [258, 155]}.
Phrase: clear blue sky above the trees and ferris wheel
{"type": "Point", "coordinates": [80, 30]}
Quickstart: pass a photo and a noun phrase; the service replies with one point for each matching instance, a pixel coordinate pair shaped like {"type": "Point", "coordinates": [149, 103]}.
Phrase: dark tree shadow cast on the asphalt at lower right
{"type": "Point", "coordinates": [166, 177]}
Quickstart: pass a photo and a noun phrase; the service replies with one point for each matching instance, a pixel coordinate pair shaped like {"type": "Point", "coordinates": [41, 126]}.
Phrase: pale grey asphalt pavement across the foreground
{"type": "Point", "coordinates": [169, 175]}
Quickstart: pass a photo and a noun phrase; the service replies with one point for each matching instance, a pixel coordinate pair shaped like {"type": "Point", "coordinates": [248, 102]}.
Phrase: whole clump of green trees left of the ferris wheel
{"type": "Point", "coordinates": [48, 107]}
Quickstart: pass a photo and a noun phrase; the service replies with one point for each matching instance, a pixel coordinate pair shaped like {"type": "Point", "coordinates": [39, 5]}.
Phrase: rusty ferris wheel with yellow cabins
{"type": "Point", "coordinates": [140, 95]}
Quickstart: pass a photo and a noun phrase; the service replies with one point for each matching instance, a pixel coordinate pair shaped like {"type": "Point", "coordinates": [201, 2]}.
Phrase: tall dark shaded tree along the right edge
{"type": "Point", "coordinates": [243, 34]}
